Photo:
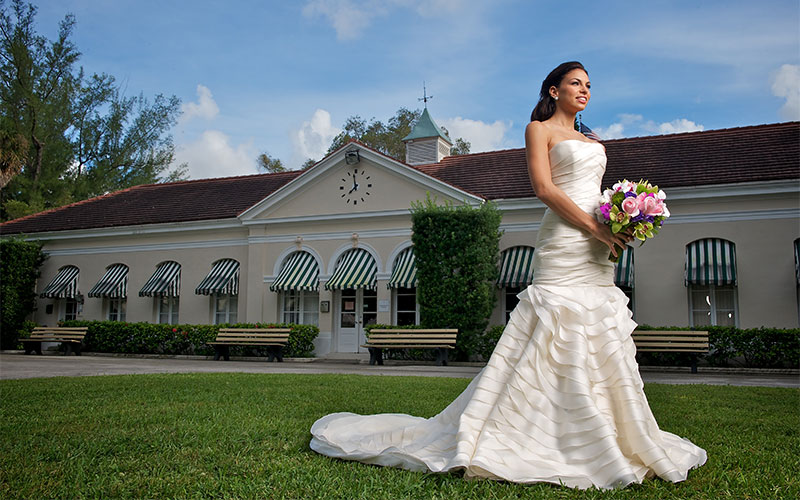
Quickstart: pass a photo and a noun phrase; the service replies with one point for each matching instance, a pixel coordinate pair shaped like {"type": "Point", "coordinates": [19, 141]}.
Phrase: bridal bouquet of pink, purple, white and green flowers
{"type": "Point", "coordinates": [636, 205]}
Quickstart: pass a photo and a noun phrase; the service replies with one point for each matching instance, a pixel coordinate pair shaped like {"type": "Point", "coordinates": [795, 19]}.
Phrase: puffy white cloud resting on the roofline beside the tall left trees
{"type": "Point", "coordinates": [212, 155]}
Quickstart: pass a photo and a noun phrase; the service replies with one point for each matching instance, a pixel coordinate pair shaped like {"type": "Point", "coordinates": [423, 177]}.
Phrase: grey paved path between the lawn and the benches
{"type": "Point", "coordinates": [18, 366]}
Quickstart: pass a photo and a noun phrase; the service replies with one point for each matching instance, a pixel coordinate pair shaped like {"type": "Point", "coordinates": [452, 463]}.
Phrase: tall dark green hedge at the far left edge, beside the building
{"type": "Point", "coordinates": [20, 261]}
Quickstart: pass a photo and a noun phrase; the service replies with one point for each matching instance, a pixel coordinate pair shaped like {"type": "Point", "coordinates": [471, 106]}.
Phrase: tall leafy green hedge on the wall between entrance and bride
{"type": "Point", "coordinates": [456, 250]}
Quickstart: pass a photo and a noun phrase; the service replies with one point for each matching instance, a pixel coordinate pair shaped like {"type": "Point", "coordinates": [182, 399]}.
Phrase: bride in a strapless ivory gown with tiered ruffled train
{"type": "Point", "coordinates": [561, 399]}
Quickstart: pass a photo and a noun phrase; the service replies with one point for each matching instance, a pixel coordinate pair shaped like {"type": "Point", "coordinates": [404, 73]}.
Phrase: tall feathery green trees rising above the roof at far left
{"type": "Point", "coordinates": [71, 136]}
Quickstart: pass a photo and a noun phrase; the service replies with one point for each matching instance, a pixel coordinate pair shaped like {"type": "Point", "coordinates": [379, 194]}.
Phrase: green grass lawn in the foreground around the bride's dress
{"type": "Point", "coordinates": [246, 436]}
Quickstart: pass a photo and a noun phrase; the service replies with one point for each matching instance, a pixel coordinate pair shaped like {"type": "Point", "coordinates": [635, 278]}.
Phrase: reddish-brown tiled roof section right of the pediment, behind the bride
{"type": "Point", "coordinates": [745, 154]}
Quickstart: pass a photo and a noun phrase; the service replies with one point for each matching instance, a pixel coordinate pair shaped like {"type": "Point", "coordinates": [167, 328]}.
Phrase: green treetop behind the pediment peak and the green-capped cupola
{"type": "Point", "coordinates": [386, 138]}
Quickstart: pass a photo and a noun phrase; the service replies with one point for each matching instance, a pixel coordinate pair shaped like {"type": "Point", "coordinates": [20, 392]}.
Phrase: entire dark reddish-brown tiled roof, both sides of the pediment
{"type": "Point", "coordinates": [745, 154]}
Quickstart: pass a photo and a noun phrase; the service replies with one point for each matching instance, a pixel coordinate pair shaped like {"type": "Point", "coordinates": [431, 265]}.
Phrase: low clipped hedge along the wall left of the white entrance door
{"type": "Point", "coordinates": [148, 338]}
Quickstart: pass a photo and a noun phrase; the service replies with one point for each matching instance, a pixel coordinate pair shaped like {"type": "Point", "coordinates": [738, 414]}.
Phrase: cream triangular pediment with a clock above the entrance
{"type": "Point", "coordinates": [348, 185]}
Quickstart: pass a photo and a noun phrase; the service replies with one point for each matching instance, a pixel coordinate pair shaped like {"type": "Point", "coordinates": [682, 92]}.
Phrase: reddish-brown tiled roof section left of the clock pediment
{"type": "Point", "coordinates": [205, 199]}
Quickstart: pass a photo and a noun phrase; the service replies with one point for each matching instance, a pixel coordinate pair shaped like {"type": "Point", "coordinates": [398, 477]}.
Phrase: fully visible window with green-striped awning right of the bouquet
{"type": "Point", "coordinates": [710, 276]}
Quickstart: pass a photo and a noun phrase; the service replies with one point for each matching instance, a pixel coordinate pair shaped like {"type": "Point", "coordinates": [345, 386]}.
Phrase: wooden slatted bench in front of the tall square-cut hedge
{"type": "Point", "coordinates": [440, 339]}
